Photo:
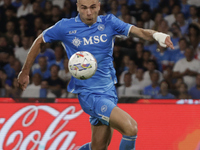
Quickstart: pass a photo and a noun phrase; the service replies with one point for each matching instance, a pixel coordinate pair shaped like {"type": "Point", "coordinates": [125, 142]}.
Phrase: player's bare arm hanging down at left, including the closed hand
{"type": "Point", "coordinates": [23, 77]}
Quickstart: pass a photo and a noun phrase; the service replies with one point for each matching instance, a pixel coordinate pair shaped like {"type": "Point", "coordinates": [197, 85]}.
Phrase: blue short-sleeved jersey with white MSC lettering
{"type": "Point", "coordinates": [98, 39]}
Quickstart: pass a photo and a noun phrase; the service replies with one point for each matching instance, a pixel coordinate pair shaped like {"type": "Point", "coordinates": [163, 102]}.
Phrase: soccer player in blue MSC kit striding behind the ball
{"type": "Point", "coordinates": [97, 95]}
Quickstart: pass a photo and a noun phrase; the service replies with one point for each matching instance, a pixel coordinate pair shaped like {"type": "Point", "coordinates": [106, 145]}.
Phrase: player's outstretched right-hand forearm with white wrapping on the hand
{"type": "Point", "coordinates": [151, 35]}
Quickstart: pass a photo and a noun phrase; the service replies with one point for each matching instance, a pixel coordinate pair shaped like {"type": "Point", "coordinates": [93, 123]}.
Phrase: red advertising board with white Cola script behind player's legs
{"type": "Point", "coordinates": [65, 126]}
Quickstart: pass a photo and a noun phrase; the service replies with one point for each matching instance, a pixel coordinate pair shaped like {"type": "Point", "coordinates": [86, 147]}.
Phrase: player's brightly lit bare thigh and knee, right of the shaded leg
{"type": "Point", "coordinates": [123, 122]}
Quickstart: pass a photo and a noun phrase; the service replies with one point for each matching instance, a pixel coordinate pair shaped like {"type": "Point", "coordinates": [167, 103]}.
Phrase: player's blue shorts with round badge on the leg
{"type": "Point", "coordinates": [99, 105]}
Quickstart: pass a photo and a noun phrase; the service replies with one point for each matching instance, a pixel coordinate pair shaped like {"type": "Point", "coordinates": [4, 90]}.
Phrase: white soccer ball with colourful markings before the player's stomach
{"type": "Point", "coordinates": [82, 65]}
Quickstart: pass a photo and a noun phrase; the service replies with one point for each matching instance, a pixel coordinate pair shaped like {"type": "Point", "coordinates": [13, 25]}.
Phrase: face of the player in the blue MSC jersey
{"type": "Point", "coordinates": [88, 10]}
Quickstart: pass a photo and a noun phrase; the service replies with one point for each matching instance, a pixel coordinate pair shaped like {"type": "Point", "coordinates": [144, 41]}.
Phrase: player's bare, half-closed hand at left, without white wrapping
{"type": "Point", "coordinates": [23, 80]}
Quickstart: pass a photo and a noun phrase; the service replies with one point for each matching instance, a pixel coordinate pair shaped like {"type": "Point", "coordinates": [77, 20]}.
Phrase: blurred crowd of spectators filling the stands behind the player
{"type": "Point", "coordinates": [144, 69]}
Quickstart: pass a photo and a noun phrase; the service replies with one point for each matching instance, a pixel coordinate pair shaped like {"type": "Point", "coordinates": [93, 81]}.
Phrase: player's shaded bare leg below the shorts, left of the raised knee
{"type": "Point", "coordinates": [101, 136]}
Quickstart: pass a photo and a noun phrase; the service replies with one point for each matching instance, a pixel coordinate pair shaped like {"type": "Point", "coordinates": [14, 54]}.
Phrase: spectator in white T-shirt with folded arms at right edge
{"type": "Point", "coordinates": [187, 68]}
